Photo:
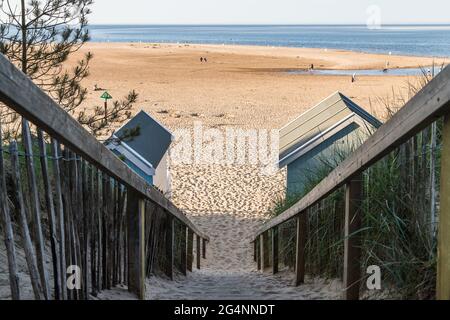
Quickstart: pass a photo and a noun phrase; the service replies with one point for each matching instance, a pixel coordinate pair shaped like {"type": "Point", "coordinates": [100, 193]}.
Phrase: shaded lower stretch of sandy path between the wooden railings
{"type": "Point", "coordinates": [229, 272]}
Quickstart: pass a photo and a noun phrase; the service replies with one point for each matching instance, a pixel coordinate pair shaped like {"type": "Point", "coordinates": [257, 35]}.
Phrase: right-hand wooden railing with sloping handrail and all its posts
{"type": "Point", "coordinates": [430, 104]}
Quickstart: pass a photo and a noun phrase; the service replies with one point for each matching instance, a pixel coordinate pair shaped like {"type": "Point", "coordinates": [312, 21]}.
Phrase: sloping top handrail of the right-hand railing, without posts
{"type": "Point", "coordinates": [432, 102]}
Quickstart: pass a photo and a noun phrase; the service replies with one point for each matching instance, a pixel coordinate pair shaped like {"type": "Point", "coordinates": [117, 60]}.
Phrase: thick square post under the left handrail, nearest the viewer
{"type": "Point", "coordinates": [136, 243]}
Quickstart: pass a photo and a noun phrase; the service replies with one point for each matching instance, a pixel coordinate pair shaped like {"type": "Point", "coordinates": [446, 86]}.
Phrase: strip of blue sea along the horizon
{"type": "Point", "coordinates": [420, 40]}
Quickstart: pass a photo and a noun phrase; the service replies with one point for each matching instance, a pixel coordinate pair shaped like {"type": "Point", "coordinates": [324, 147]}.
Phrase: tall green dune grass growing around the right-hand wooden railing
{"type": "Point", "coordinates": [399, 214]}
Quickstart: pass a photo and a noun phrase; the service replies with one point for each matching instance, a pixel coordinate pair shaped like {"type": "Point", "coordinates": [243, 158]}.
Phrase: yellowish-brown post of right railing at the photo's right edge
{"type": "Point", "coordinates": [443, 254]}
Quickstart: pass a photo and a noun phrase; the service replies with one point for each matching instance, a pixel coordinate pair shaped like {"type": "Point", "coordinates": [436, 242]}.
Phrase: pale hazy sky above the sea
{"type": "Point", "coordinates": [268, 11]}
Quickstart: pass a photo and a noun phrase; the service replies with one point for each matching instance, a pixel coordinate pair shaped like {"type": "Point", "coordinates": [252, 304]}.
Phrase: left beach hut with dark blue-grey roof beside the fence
{"type": "Point", "coordinates": [143, 144]}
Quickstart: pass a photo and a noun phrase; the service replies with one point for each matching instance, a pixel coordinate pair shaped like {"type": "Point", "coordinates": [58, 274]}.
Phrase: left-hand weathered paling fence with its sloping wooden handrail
{"type": "Point", "coordinates": [99, 216]}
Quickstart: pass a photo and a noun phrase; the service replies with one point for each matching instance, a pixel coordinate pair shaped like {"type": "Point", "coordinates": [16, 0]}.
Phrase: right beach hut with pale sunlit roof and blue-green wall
{"type": "Point", "coordinates": [321, 133]}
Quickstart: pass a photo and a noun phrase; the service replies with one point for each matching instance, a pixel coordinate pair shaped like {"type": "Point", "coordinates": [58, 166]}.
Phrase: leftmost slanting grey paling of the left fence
{"type": "Point", "coordinates": [8, 229]}
